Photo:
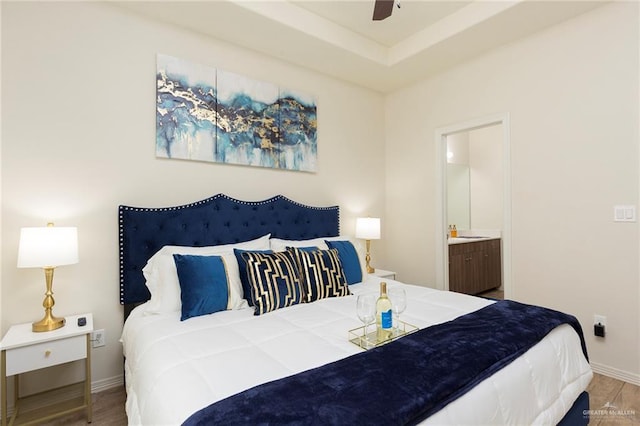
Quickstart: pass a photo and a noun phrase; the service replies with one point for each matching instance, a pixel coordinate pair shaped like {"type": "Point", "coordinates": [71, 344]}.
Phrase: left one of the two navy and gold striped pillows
{"type": "Point", "coordinates": [274, 279]}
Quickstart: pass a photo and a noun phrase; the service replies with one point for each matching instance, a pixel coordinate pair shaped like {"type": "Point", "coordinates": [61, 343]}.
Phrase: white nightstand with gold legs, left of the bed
{"type": "Point", "coordinates": [24, 351]}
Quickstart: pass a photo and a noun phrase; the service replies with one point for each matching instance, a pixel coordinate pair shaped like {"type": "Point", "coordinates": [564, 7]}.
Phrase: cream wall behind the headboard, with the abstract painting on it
{"type": "Point", "coordinates": [78, 134]}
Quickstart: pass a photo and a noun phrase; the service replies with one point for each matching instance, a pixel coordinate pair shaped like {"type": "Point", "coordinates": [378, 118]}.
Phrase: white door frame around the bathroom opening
{"type": "Point", "coordinates": [443, 135]}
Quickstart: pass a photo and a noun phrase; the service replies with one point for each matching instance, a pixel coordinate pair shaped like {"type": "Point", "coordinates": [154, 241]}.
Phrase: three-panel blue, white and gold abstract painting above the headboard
{"type": "Point", "coordinates": [206, 114]}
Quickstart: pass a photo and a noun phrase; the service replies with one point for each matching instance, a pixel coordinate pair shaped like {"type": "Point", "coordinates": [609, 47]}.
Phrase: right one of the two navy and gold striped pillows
{"type": "Point", "coordinates": [321, 274]}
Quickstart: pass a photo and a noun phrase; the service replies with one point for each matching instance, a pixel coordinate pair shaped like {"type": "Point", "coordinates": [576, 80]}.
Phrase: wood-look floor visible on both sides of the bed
{"type": "Point", "coordinates": [613, 403]}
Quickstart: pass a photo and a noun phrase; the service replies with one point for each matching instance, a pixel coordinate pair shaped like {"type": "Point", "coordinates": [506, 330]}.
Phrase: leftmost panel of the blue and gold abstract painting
{"type": "Point", "coordinates": [186, 122]}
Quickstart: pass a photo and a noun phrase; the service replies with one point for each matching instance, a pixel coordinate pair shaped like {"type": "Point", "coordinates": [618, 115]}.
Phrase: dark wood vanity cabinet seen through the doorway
{"type": "Point", "coordinates": [475, 267]}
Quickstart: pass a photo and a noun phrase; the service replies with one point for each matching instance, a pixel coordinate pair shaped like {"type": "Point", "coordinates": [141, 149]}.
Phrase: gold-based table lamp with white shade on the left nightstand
{"type": "Point", "coordinates": [48, 247]}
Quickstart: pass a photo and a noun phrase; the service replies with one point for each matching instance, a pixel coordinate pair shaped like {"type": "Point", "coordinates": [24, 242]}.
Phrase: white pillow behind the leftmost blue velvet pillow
{"type": "Point", "coordinates": [162, 277]}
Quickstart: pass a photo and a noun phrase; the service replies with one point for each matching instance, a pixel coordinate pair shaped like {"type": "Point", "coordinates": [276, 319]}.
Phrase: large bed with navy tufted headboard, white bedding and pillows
{"type": "Point", "coordinates": [267, 363]}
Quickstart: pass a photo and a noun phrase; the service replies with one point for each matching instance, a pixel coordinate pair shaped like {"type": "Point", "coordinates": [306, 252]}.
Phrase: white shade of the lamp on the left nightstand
{"type": "Point", "coordinates": [48, 246]}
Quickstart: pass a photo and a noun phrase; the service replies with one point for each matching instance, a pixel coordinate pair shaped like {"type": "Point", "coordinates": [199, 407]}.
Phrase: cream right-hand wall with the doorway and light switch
{"type": "Point", "coordinates": [572, 96]}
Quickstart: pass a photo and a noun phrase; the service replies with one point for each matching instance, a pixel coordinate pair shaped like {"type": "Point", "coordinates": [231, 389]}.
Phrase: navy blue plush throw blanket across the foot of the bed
{"type": "Point", "coordinates": [399, 383]}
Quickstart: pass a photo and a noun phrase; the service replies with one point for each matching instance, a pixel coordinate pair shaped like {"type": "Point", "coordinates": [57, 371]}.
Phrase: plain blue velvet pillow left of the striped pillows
{"type": "Point", "coordinates": [204, 286]}
